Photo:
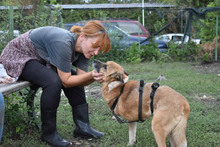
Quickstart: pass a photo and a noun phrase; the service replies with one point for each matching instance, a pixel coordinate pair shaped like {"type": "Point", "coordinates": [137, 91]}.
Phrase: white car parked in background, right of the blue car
{"type": "Point", "coordinates": [176, 38]}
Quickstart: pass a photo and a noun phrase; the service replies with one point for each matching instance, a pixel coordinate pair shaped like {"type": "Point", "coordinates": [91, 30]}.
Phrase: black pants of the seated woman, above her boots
{"type": "Point", "coordinates": [40, 75]}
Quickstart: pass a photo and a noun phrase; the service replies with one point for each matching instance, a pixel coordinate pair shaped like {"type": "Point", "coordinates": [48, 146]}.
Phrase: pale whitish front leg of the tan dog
{"type": "Point", "coordinates": [132, 133]}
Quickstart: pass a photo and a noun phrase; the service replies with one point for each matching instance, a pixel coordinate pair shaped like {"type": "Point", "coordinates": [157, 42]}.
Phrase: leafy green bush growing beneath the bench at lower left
{"type": "Point", "coordinates": [16, 116]}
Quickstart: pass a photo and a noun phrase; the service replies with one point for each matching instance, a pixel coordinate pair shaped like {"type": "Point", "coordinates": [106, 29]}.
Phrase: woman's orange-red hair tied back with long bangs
{"type": "Point", "coordinates": [95, 28]}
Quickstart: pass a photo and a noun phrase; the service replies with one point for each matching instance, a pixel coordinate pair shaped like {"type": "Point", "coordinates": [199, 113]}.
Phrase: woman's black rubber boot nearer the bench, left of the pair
{"type": "Point", "coordinates": [49, 131]}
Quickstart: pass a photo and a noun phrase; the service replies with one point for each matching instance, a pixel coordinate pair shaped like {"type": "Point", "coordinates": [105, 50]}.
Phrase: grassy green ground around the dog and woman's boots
{"type": "Point", "coordinates": [200, 87]}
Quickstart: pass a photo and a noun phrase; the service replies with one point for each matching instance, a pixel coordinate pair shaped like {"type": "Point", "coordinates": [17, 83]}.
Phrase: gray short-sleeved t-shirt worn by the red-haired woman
{"type": "Point", "coordinates": [57, 47]}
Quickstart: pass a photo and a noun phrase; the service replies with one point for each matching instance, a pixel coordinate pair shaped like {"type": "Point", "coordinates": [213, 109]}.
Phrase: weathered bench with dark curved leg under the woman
{"type": "Point", "coordinates": [8, 88]}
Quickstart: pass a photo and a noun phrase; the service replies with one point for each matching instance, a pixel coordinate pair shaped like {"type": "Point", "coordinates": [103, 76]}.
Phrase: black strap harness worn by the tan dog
{"type": "Point", "coordinates": [141, 87]}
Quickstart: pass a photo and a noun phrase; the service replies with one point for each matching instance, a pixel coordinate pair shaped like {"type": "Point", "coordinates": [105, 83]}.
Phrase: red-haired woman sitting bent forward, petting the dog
{"type": "Point", "coordinates": [44, 56]}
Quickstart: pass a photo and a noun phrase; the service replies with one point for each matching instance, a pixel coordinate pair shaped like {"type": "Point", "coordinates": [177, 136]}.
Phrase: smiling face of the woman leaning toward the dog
{"type": "Point", "coordinates": [86, 47]}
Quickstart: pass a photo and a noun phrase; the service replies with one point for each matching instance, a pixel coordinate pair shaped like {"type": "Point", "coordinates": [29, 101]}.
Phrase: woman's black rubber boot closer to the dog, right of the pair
{"type": "Point", "coordinates": [81, 119]}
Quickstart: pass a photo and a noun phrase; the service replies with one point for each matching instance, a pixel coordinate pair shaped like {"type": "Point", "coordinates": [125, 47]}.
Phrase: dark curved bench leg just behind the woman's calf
{"type": "Point", "coordinates": [30, 103]}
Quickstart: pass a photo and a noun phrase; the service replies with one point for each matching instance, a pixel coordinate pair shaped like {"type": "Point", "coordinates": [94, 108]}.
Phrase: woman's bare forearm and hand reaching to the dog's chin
{"type": "Point", "coordinates": [81, 79]}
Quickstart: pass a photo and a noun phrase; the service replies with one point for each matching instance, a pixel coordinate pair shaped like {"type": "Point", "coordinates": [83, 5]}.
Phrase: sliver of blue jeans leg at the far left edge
{"type": "Point", "coordinates": [2, 114]}
